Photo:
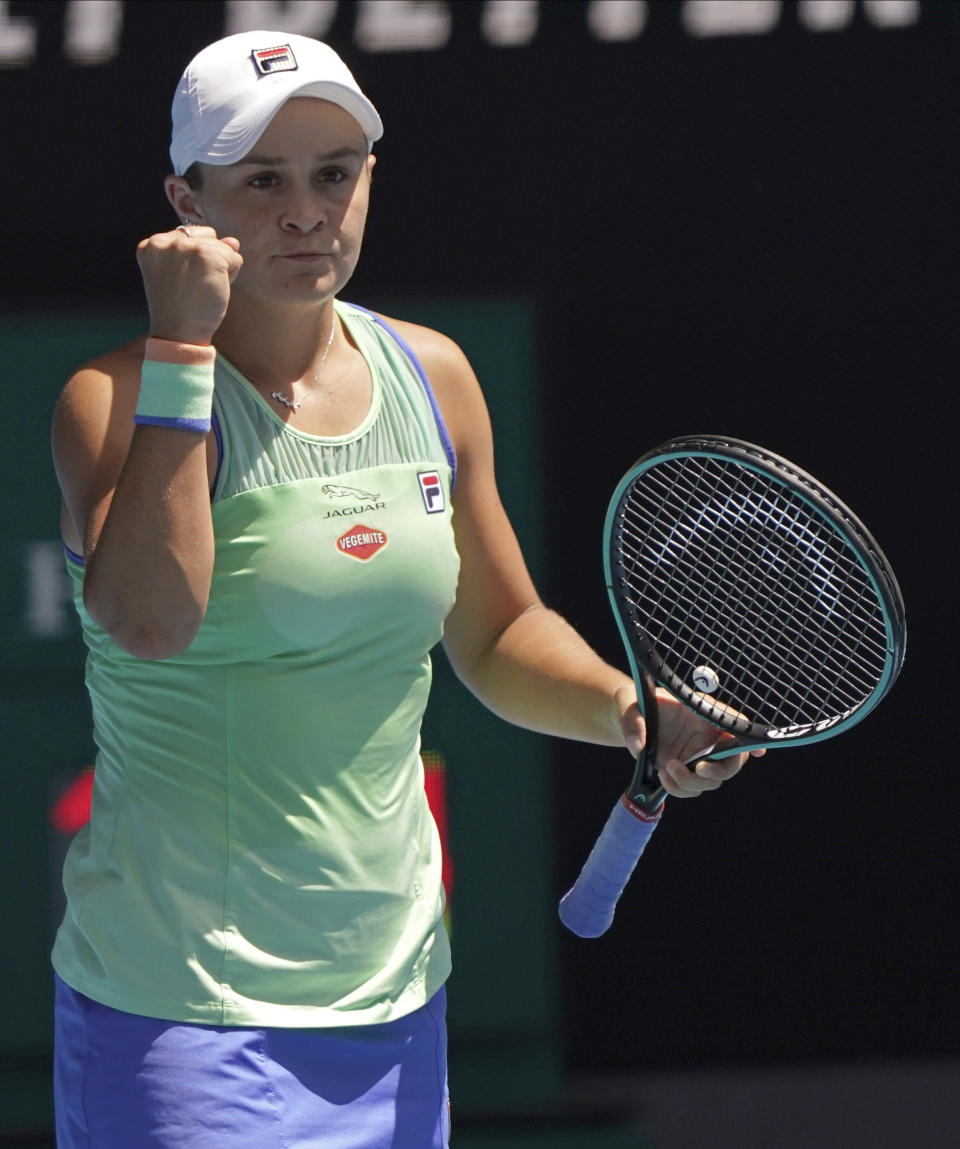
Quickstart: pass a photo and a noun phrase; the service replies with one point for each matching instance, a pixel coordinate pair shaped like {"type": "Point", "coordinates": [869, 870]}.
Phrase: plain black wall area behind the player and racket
{"type": "Point", "coordinates": [753, 236]}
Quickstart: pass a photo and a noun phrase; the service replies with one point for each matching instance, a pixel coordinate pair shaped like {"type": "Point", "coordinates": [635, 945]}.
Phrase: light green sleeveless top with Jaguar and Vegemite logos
{"type": "Point", "coordinates": [261, 851]}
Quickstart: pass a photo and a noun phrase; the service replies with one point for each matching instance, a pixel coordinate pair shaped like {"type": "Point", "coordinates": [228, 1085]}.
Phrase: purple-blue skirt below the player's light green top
{"type": "Point", "coordinates": [125, 1082]}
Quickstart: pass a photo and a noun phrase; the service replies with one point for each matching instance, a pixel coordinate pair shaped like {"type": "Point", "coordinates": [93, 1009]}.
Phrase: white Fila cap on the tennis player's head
{"type": "Point", "coordinates": [231, 91]}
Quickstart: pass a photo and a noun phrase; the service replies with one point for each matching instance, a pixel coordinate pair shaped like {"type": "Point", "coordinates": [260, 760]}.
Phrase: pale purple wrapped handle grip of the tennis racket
{"type": "Point", "coordinates": [587, 909]}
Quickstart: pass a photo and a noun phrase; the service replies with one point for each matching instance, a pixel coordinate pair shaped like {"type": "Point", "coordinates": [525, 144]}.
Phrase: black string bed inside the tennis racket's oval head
{"type": "Point", "coordinates": [719, 561]}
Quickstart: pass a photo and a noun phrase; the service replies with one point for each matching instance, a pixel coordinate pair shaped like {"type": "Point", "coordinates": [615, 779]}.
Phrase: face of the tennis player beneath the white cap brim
{"type": "Point", "coordinates": [297, 204]}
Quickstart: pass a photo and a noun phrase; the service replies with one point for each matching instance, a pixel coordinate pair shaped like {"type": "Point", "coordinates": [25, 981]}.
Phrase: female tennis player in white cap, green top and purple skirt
{"type": "Point", "coordinates": [274, 507]}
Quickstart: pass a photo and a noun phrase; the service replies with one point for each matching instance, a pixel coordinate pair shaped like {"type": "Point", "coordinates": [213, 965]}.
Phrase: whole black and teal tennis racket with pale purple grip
{"type": "Point", "coordinates": [756, 598]}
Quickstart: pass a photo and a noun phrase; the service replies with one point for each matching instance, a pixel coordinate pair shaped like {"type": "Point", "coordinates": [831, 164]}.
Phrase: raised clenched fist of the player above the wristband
{"type": "Point", "coordinates": [188, 275]}
